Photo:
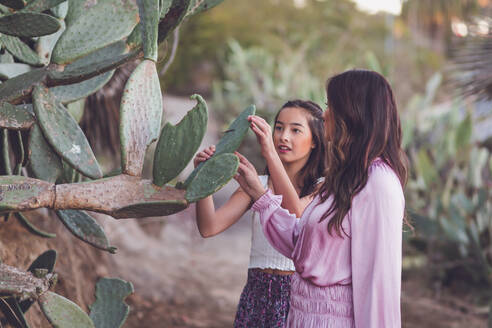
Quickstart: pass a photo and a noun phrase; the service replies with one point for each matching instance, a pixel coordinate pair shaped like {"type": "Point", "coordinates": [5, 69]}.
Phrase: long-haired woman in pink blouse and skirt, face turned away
{"type": "Point", "coordinates": [347, 247]}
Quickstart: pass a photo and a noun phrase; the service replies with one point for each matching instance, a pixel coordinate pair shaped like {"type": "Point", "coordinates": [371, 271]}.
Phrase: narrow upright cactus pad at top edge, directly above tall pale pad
{"type": "Point", "coordinates": [149, 15]}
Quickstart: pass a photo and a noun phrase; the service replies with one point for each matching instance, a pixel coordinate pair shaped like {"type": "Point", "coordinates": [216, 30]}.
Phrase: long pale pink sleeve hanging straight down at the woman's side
{"type": "Point", "coordinates": [376, 246]}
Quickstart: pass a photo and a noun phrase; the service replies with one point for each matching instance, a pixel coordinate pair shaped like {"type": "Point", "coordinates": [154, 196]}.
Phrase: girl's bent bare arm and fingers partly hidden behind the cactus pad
{"type": "Point", "coordinates": [211, 221]}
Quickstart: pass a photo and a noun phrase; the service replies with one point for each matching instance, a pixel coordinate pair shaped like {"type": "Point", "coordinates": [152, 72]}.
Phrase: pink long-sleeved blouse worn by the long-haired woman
{"type": "Point", "coordinates": [370, 259]}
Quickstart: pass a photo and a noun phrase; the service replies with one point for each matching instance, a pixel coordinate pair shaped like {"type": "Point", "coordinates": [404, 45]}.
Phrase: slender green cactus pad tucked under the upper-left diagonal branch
{"type": "Point", "coordinates": [71, 92]}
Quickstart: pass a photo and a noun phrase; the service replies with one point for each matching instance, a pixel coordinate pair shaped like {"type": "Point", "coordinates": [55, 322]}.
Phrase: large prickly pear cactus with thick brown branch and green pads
{"type": "Point", "coordinates": [43, 94]}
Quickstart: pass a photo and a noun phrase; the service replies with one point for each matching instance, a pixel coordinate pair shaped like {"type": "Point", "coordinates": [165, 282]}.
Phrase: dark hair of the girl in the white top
{"type": "Point", "coordinates": [316, 164]}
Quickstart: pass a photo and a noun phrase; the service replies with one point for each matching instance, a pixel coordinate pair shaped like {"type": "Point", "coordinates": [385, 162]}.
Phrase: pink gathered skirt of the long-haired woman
{"type": "Point", "coordinates": [313, 306]}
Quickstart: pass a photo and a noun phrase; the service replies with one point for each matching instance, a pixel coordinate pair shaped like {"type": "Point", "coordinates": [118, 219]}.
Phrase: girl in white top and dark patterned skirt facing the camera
{"type": "Point", "coordinates": [298, 146]}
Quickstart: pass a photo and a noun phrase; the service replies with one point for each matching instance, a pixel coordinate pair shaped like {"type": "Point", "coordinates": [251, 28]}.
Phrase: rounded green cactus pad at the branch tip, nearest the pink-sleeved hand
{"type": "Point", "coordinates": [214, 174]}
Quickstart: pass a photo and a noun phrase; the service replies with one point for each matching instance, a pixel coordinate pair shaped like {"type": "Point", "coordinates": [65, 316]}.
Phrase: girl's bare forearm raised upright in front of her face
{"type": "Point", "coordinates": [281, 182]}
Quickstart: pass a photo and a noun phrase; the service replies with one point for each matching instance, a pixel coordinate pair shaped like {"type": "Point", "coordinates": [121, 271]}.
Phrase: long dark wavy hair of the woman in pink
{"type": "Point", "coordinates": [364, 126]}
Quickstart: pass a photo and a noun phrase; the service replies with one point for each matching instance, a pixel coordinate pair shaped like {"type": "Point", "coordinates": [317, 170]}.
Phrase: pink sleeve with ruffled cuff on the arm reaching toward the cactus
{"type": "Point", "coordinates": [278, 224]}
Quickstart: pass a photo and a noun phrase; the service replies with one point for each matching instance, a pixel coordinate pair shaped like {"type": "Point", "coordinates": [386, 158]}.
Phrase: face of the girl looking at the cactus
{"type": "Point", "coordinates": [292, 136]}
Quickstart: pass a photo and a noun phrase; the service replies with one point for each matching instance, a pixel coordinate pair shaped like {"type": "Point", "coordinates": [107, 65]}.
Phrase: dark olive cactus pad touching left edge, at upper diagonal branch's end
{"type": "Point", "coordinates": [19, 88]}
